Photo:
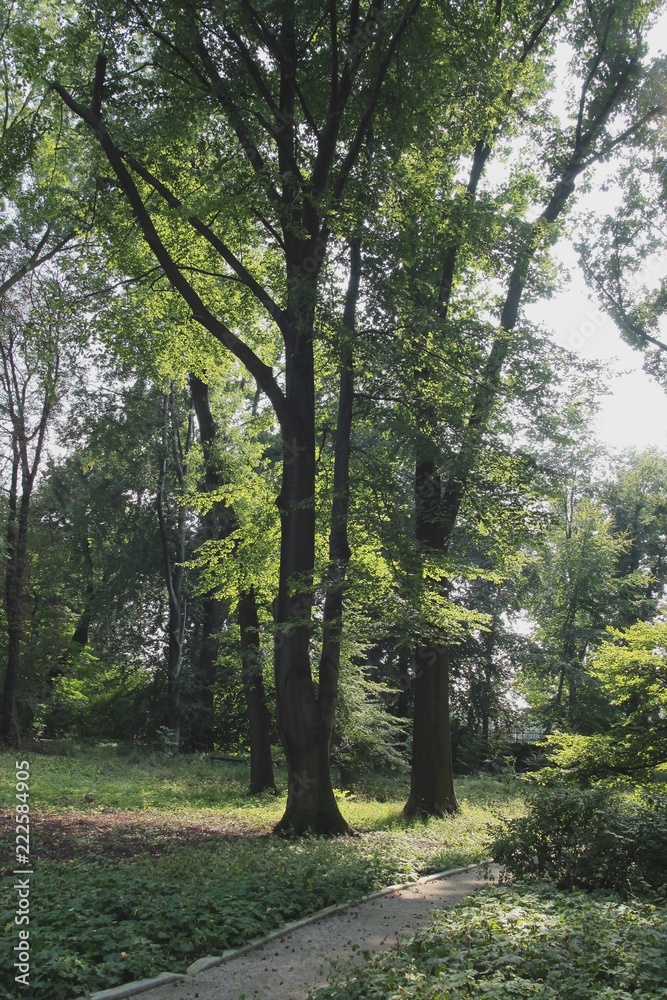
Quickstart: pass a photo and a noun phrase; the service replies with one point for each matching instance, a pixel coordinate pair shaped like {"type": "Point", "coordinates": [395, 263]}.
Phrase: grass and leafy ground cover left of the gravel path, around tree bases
{"type": "Point", "coordinates": [144, 864]}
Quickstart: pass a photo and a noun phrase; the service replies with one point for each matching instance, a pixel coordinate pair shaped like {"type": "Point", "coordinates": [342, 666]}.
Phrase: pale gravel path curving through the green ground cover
{"type": "Point", "coordinates": [289, 967]}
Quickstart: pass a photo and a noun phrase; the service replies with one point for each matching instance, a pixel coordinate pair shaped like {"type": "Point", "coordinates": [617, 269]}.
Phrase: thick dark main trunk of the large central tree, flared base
{"type": "Point", "coordinates": [305, 724]}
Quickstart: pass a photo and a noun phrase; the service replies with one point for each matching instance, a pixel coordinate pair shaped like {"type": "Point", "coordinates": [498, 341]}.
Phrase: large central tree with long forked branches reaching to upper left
{"type": "Point", "coordinates": [300, 133]}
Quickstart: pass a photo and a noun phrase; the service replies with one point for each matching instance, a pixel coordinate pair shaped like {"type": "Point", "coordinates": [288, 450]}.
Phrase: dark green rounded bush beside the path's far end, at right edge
{"type": "Point", "coordinates": [588, 838]}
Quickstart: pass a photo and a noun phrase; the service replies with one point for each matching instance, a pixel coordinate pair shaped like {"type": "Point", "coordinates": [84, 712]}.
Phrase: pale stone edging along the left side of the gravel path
{"type": "Point", "coordinates": [210, 961]}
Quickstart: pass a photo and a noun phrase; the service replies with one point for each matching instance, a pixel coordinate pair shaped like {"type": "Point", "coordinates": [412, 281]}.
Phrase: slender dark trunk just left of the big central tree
{"type": "Point", "coordinates": [259, 720]}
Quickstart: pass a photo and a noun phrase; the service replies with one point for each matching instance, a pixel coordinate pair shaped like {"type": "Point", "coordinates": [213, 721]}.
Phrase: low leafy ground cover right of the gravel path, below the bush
{"type": "Point", "coordinates": [522, 941]}
